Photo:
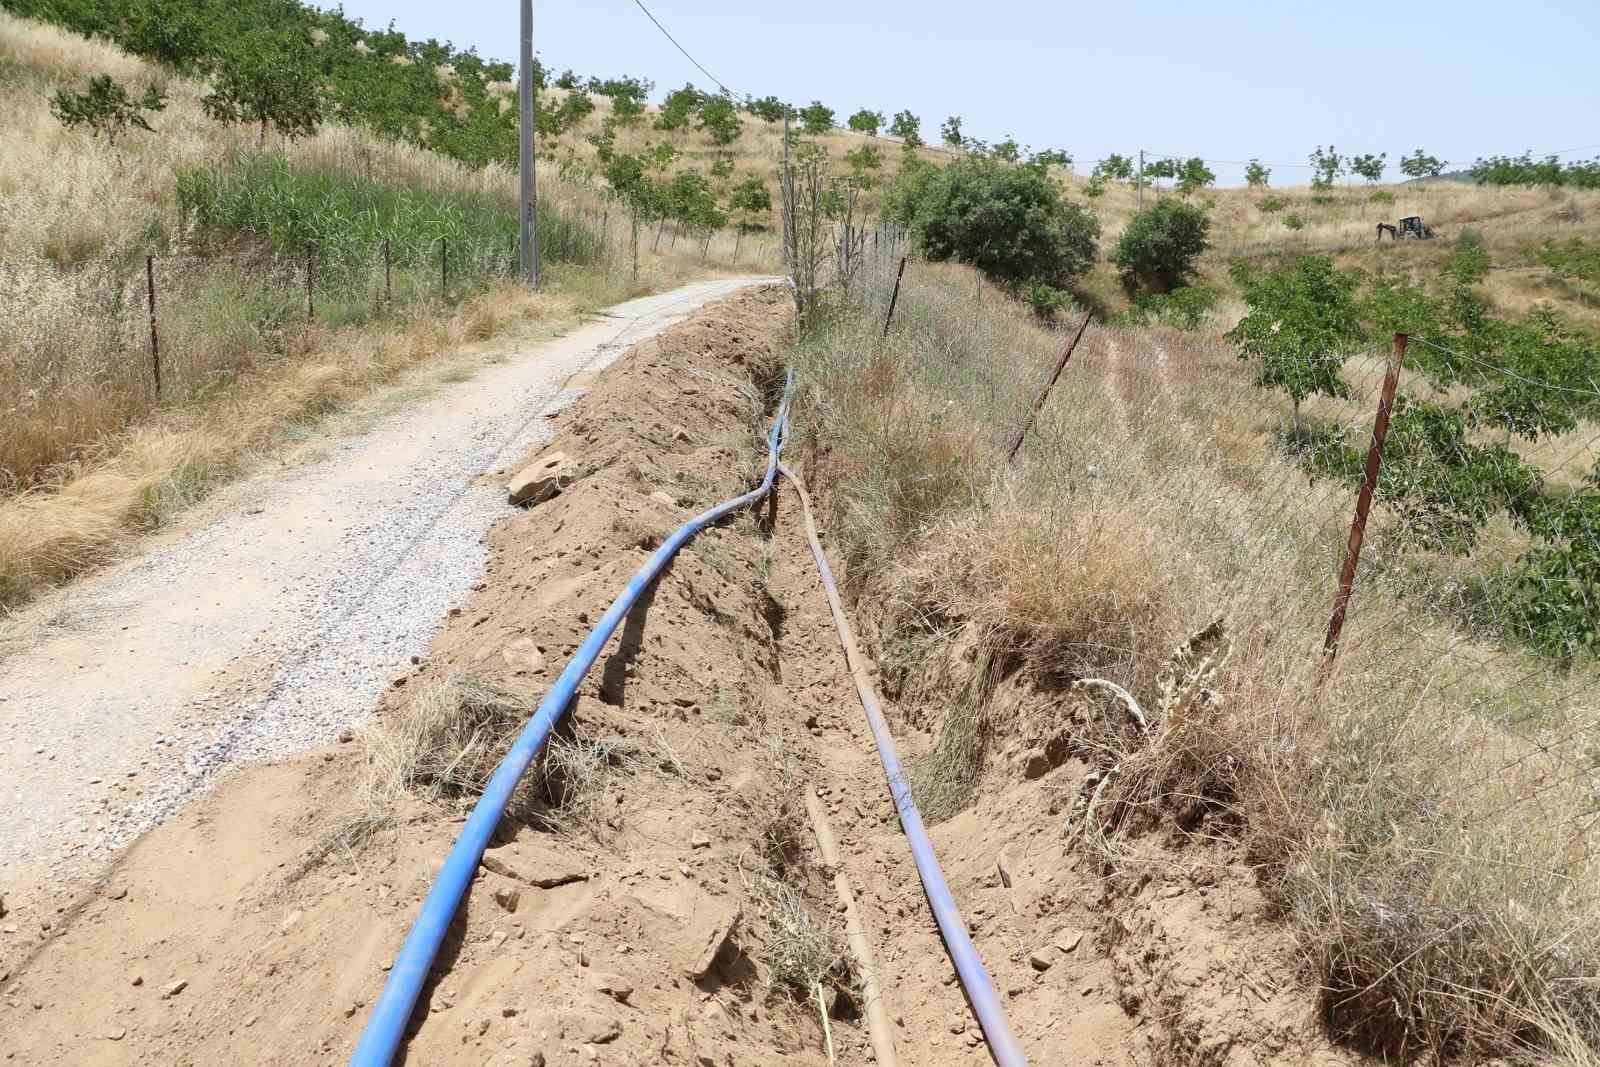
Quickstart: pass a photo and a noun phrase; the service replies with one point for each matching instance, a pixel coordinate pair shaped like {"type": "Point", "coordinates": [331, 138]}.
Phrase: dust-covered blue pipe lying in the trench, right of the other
{"type": "Point", "coordinates": [975, 980]}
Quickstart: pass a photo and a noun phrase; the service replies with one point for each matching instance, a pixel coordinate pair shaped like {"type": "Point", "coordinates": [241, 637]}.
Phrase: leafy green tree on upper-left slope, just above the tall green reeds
{"type": "Point", "coordinates": [268, 81]}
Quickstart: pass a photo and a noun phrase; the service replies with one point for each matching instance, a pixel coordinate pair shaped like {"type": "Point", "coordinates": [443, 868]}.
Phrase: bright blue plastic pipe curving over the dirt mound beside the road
{"type": "Point", "coordinates": [386, 1026]}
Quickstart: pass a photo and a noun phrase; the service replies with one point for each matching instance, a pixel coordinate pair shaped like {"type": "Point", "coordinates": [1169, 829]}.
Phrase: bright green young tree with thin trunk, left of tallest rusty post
{"type": "Point", "coordinates": [1303, 324]}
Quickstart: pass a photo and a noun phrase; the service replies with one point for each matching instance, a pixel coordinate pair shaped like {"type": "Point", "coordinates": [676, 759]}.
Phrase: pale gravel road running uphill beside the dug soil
{"type": "Point", "coordinates": [281, 620]}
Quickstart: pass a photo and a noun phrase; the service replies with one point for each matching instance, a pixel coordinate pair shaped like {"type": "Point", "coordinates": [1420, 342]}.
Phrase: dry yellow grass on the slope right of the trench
{"type": "Point", "coordinates": [1422, 815]}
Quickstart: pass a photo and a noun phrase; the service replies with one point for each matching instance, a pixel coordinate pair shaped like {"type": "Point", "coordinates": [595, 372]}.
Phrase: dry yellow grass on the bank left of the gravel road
{"type": "Point", "coordinates": [89, 458]}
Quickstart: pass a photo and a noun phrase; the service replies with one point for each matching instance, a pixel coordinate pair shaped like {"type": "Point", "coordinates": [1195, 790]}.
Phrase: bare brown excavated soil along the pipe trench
{"type": "Point", "coordinates": [244, 933]}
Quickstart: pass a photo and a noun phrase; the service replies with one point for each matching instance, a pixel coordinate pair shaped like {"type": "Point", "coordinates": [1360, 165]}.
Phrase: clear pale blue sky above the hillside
{"type": "Point", "coordinates": [1231, 79]}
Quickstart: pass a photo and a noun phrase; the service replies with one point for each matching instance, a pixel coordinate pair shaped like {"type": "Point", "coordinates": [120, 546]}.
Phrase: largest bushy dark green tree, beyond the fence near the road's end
{"type": "Point", "coordinates": [1012, 223]}
